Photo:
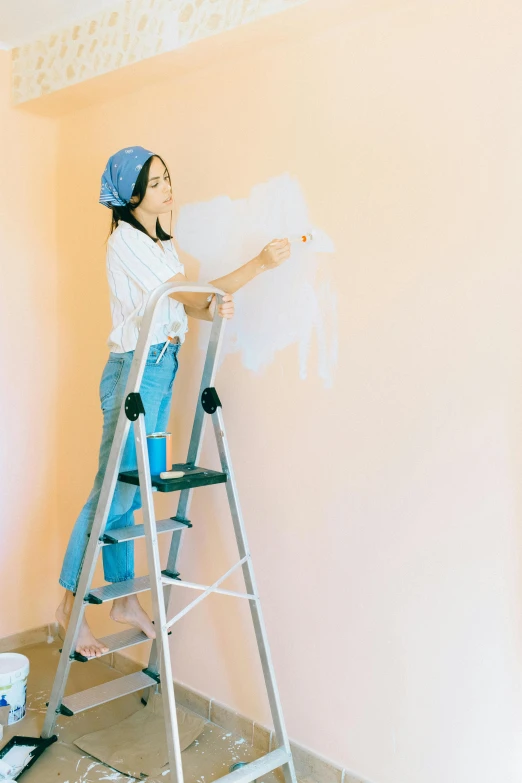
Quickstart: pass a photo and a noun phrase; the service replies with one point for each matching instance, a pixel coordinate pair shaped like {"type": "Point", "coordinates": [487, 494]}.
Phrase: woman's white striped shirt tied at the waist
{"type": "Point", "coordinates": [136, 265]}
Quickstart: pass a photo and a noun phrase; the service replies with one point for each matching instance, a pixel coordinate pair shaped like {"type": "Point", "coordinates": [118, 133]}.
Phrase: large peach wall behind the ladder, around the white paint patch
{"type": "Point", "coordinates": [384, 513]}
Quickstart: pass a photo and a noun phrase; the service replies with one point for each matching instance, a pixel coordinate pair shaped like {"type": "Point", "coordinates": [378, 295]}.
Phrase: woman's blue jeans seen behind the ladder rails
{"type": "Point", "coordinates": [156, 393]}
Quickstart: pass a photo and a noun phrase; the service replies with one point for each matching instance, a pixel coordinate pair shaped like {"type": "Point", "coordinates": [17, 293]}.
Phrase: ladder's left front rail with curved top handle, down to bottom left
{"type": "Point", "coordinates": [107, 492]}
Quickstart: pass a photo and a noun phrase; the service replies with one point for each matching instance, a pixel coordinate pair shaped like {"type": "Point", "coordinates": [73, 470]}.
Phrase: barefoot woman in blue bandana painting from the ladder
{"type": "Point", "coordinates": [140, 257]}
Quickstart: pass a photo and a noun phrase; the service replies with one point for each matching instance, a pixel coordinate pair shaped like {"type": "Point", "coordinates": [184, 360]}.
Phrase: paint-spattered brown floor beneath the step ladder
{"type": "Point", "coordinates": [205, 760]}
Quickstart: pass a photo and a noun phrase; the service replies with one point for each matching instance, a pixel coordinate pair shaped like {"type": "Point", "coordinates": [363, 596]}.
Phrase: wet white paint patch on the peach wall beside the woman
{"type": "Point", "coordinates": [282, 306]}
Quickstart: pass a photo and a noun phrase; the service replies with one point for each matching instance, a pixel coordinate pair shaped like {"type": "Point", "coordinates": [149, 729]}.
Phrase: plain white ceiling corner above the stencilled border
{"type": "Point", "coordinates": [26, 20]}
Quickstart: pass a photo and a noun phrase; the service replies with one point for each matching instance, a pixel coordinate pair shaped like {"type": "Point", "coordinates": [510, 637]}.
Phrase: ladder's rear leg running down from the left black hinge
{"type": "Point", "coordinates": [158, 604]}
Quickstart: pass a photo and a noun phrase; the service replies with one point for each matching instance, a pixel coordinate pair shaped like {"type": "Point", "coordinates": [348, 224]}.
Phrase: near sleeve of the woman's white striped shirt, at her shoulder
{"type": "Point", "coordinates": [148, 266]}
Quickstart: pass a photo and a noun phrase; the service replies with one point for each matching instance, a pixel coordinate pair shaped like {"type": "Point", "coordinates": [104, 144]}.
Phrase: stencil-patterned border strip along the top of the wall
{"type": "Point", "coordinates": [129, 32]}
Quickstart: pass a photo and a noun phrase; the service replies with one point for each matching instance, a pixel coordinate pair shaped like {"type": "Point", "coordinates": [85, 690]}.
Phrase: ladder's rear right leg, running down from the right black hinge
{"type": "Point", "coordinates": [251, 586]}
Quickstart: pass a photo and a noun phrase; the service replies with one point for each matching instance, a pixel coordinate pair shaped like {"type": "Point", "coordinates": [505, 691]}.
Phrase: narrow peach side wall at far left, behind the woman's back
{"type": "Point", "coordinates": [28, 392]}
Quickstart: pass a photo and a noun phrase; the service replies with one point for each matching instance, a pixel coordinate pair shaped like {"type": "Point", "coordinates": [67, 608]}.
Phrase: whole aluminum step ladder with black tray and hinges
{"type": "Point", "coordinates": [160, 583]}
